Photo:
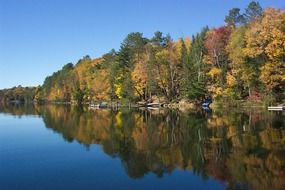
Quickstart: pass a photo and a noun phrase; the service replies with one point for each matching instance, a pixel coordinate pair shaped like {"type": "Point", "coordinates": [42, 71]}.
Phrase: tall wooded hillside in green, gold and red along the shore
{"type": "Point", "coordinates": [242, 60]}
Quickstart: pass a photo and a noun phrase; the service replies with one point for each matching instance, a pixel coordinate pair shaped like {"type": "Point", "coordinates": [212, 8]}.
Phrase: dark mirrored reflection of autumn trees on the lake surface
{"type": "Point", "coordinates": [245, 149]}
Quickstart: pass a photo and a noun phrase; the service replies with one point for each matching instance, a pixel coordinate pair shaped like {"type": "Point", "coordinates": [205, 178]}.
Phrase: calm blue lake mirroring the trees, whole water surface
{"type": "Point", "coordinates": [65, 147]}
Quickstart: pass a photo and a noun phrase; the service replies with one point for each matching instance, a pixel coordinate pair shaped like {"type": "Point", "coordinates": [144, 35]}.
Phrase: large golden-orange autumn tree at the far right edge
{"type": "Point", "coordinates": [265, 41]}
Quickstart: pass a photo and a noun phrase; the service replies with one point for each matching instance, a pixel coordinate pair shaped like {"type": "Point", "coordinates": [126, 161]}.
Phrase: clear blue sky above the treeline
{"type": "Point", "coordinates": [37, 37]}
